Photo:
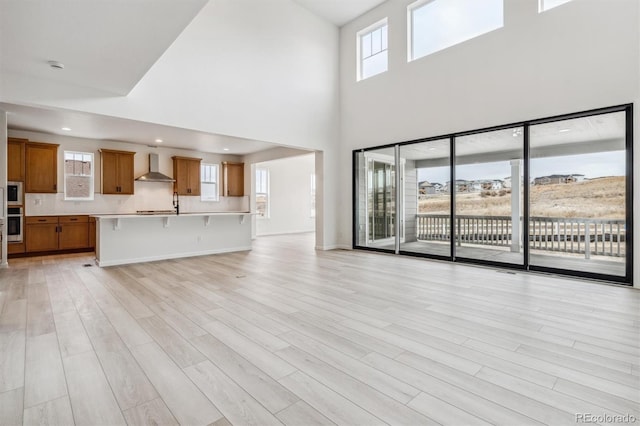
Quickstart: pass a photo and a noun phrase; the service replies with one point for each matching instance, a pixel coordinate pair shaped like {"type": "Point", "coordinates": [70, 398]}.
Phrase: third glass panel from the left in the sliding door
{"type": "Point", "coordinates": [488, 196]}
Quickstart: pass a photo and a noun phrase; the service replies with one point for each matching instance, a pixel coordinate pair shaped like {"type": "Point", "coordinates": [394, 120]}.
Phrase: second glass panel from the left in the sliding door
{"type": "Point", "coordinates": [426, 200]}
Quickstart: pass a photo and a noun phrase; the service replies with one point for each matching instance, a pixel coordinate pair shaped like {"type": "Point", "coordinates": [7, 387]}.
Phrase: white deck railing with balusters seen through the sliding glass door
{"type": "Point", "coordinates": [601, 237]}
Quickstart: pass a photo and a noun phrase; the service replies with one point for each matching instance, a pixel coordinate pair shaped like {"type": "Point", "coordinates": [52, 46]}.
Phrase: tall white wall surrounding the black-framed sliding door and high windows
{"type": "Point", "coordinates": [579, 56]}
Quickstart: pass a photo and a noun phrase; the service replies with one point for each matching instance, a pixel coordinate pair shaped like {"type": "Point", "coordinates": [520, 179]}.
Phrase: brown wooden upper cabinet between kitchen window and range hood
{"type": "Point", "coordinates": [117, 172]}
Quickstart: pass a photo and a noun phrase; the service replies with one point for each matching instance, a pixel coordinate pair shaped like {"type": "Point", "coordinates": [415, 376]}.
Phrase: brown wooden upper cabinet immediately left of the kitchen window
{"type": "Point", "coordinates": [41, 167]}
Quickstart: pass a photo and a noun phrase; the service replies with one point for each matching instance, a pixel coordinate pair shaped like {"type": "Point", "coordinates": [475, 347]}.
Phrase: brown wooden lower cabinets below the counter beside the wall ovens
{"type": "Point", "coordinates": [53, 233]}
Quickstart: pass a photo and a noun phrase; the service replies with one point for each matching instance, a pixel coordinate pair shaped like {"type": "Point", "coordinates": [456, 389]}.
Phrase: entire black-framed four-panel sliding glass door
{"type": "Point", "coordinates": [550, 195]}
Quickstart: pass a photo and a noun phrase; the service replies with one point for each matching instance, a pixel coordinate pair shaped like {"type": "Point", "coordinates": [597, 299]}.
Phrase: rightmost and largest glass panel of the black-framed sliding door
{"type": "Point", "coordinates": [577, 195]}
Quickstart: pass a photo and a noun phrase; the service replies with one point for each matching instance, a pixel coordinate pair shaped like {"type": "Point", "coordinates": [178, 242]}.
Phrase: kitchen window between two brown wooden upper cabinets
{"type": "Point", "coordinates": [78, 175]}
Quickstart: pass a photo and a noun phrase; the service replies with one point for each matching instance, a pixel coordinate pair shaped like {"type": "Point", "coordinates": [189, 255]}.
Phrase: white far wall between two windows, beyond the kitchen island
{"type": "Point", "coordinates": [289, 196]}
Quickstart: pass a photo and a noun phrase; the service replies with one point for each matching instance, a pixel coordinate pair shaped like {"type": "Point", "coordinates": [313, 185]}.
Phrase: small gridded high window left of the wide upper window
{"type": "Point", "coordinates": [372, 50]}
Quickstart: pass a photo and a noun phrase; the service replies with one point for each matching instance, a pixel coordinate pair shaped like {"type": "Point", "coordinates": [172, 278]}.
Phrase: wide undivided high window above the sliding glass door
{"type": "Point", "coordinates": [437, 24]}
